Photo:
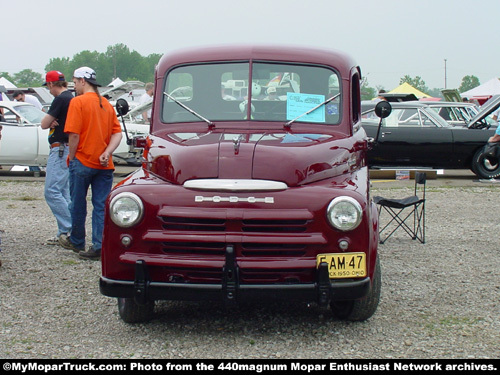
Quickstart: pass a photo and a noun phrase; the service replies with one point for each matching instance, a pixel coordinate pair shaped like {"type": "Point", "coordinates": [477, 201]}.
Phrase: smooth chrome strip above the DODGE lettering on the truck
{"type": "Point", "coordinates": [235, 185]}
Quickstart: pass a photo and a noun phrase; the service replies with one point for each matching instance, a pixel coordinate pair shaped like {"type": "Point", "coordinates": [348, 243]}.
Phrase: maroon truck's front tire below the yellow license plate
{"type": "Point", "coordinates": [361, 309]}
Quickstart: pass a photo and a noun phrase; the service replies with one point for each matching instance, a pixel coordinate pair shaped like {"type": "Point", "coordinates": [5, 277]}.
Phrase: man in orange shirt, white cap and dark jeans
{"type": "Point", "coordinates": [94, 133]}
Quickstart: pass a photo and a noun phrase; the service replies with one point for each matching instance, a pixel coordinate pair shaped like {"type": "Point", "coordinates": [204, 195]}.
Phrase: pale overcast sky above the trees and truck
{"type": "Point", "coordinates": [388, 38]}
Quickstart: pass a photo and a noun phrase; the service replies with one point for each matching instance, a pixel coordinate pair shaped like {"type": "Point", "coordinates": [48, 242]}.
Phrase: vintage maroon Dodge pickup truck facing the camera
{"type": "Point", "coordinates": [251, 198]}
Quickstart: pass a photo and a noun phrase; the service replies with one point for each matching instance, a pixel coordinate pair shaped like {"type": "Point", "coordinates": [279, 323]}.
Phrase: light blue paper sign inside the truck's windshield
{"type": "Point", "coordinates": [298, 104]}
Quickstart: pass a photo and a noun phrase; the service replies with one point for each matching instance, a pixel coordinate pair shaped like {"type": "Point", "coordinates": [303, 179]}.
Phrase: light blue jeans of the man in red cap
{"type": "Point", "coordinates": [56, 192]}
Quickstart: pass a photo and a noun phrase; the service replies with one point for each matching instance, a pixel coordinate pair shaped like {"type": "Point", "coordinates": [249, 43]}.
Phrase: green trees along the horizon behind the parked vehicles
{"type": "Point", "coordinates": [119, 61]}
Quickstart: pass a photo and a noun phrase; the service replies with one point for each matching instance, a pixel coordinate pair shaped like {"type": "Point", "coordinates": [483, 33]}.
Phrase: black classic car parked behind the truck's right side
{"type": "Point", "coordinates": [414, 135]}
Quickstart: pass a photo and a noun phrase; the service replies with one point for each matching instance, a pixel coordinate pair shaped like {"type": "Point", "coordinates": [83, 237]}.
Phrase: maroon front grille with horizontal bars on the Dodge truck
{"type": "Point", "coordinates": [253, 233]}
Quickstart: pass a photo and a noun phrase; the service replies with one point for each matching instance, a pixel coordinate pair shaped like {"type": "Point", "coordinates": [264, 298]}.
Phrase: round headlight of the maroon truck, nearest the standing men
{"type": "Point", "coordinates": [126, 209]}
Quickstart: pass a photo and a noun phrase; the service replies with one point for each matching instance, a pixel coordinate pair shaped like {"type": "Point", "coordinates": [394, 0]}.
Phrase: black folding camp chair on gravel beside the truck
{"type": "Point", "coordinates": [415, 209]}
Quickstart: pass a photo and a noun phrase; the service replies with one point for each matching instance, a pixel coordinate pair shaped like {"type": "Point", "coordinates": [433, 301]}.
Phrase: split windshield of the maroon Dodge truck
{"type": "Point", "coordinates": [275, 92]}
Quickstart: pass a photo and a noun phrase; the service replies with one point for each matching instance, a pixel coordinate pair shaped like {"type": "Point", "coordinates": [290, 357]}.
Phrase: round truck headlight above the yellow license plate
{"type": "Point", "coordinates": [344, 213]}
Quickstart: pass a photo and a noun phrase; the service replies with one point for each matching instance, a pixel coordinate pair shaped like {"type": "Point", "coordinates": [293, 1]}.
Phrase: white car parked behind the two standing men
{"type": "Point", "coordinates": [25, 143]}
